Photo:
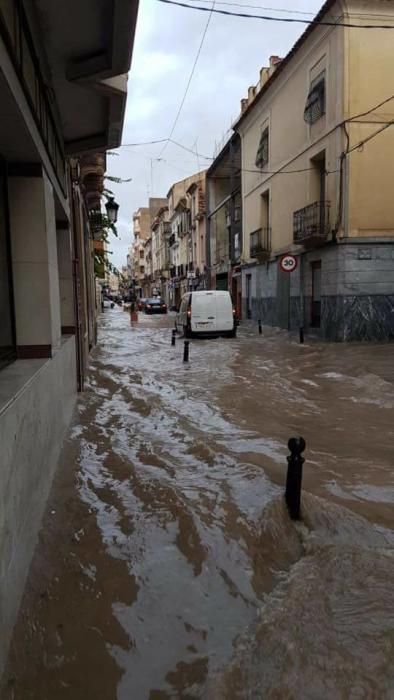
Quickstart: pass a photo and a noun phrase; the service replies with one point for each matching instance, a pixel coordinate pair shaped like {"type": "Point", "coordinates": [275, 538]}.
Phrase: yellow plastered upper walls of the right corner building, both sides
{"type": "Point", "coordinates": [359, 75]}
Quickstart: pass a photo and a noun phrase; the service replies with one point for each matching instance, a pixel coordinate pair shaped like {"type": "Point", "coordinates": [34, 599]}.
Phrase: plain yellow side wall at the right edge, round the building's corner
{"type": "Point", "coordinates": [370, 81]}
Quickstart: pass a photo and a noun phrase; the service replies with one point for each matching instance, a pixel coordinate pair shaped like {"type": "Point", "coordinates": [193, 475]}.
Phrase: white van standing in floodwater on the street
{"type": "Point", "coordinates": [206, 313]}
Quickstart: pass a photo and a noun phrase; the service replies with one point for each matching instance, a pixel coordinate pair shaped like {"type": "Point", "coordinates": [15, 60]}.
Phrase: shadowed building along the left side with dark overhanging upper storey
{"type": "Point", "coordinates": [48, 121]}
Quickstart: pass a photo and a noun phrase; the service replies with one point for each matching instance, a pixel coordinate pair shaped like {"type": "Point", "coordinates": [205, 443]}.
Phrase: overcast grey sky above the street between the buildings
{"type": "Point", "coordinates": [166, 44]}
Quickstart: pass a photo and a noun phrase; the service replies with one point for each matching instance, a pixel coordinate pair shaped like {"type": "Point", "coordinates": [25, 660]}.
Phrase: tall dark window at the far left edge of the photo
{"type": "Point", "coordinates": [7, 335]}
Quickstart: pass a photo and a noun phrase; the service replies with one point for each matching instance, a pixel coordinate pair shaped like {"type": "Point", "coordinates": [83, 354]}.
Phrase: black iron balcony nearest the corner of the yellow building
{"type": "Point", "coordinates": [311, 224]}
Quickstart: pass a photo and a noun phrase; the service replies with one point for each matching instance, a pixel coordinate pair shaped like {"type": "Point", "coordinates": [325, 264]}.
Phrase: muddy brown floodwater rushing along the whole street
{"type": "Point", "coordinates": [167, 566]}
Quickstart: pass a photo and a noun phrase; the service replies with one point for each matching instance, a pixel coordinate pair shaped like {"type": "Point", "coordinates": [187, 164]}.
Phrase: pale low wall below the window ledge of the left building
{"type": "Point", "coordinates": [36, 404]}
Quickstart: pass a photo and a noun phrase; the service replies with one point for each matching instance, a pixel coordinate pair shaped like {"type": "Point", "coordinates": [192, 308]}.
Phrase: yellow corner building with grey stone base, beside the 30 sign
{"type": "Point", "coordinates": [317, 170]}
